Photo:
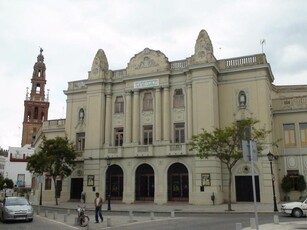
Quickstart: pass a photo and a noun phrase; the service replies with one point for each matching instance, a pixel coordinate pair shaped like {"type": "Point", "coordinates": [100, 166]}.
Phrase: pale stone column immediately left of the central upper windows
{"type": "Point", "coordinates": [136, 118]}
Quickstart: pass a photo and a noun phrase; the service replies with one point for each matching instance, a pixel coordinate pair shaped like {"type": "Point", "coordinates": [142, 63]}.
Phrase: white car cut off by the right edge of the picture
{"type": "Point", "coordinates": [296, 208]}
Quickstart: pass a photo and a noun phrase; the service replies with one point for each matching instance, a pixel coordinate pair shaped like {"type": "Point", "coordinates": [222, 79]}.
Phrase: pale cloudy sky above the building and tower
{"type": "Point", "coordinates": [71, 32]}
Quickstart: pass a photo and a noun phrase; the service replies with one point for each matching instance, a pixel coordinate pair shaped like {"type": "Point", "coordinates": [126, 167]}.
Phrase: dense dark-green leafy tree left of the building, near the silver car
{"type": "Point", "coordinates": [56, 157]}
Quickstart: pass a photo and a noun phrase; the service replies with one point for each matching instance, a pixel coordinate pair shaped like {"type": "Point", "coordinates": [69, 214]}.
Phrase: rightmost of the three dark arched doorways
{"type": "Point", "coordinates": [178, 183]}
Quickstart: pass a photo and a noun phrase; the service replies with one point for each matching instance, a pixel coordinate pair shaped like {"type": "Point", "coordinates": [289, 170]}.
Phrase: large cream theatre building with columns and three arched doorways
{"type": "Point", "coordinates": [132, 127]}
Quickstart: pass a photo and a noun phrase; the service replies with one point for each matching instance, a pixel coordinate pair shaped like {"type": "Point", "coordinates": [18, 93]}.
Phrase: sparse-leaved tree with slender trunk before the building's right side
{"type": "Point", "coordinates": [226, 144]}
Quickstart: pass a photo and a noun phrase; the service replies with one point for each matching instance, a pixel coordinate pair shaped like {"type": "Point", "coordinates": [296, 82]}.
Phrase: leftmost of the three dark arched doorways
{"type": "Point", "coordinates": [114, 182]}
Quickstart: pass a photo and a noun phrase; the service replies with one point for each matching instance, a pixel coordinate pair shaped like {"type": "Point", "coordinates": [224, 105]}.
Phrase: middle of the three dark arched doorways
{"type": "Point", "coordinates": [144, 183]}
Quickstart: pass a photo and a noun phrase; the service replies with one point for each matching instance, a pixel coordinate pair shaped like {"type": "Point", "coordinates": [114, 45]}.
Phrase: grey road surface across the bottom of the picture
{"type": "Point", "coordinates": [120, 221]}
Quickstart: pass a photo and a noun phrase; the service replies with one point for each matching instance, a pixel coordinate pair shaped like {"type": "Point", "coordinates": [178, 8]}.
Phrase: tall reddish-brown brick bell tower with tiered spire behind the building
{"type": "Point", "coordinates": [36, 104]}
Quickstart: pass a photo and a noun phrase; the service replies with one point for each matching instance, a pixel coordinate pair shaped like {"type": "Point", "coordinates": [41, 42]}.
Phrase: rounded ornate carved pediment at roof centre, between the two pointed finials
{"type": "Point", "coordinates": [148, 61]}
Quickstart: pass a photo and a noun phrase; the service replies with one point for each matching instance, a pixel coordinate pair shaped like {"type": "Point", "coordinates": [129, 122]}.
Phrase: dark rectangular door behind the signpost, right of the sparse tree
{"type": "Point", "coordinates": [244, 188]}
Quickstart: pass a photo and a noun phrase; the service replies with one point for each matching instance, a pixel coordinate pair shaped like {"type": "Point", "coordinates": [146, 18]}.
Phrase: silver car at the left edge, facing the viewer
{"type": "Point", "coordinates": [15, 208]}
